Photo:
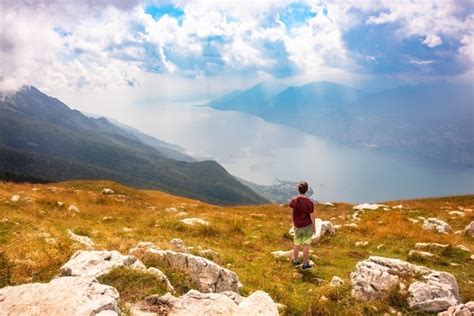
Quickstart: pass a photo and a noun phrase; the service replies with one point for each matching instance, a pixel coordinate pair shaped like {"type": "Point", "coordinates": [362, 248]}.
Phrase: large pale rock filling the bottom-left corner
{"type": "Point", "coordinates": [62, 296]}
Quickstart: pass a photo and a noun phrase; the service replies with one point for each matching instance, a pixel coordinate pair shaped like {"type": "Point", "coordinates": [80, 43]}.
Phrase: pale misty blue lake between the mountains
{"type": "Point", "coordinates": [258, 151]}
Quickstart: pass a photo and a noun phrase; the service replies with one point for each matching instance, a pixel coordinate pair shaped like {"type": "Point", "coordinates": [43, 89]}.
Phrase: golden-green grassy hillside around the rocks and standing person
{"type": "Point", "coordinates": [243, 236]}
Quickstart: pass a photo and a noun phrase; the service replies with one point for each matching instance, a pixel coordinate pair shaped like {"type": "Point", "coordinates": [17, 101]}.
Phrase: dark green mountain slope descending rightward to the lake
{"type": "Point", "coordinates": [42, 138]}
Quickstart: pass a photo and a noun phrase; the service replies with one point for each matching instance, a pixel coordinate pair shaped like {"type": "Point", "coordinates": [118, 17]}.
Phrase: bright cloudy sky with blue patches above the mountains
{"type": "Point", "coordinates": [98, 51]}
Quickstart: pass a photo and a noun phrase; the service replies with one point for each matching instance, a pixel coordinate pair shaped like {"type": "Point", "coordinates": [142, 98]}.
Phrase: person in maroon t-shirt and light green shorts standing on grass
{"type": "Point", "coordinates": [303, 223]}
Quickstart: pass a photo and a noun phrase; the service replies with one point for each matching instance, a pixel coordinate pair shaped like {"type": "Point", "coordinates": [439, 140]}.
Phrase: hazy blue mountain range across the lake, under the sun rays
{"type": "Point", "coordinates": [433, 121]}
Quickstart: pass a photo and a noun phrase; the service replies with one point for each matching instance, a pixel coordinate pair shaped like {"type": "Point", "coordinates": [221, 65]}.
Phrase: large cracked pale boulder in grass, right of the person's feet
{"type": "Point", "coordinates": [376, 277]}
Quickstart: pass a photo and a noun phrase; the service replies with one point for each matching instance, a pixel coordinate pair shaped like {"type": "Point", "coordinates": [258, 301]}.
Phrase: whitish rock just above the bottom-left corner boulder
{"type": "Point", "coordinates": [98, 263]}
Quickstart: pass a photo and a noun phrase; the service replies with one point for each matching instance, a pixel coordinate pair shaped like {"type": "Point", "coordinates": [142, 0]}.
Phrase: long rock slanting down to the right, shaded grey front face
{"type": "Point", "coordinates": [206, 275]}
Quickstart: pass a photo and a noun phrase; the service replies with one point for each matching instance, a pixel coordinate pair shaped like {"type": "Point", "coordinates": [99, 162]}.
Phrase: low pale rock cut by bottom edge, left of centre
{"type": "Point", "coordinates": [196, 303]}
